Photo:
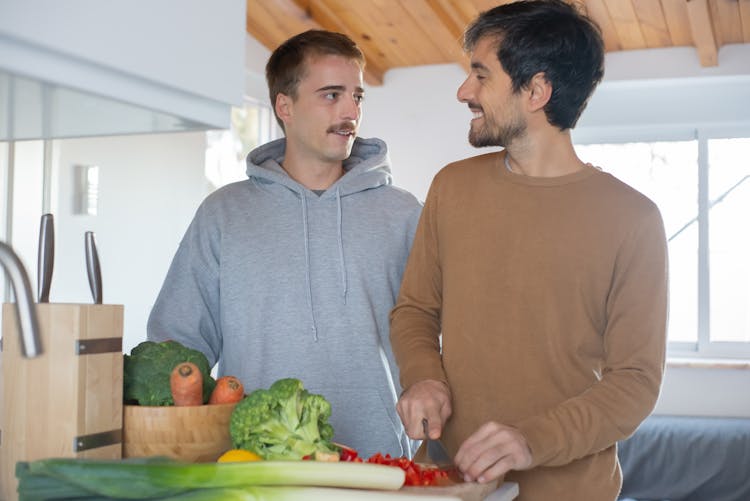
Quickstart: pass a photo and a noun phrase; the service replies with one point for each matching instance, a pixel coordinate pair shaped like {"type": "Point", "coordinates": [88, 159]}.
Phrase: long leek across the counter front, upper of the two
{"type": "Point", "coordinates": [161, 478]}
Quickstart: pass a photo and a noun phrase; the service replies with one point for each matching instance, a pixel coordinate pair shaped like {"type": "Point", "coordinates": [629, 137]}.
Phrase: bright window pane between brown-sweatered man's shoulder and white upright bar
{"type": "Point", "coordinates": [666, 172]}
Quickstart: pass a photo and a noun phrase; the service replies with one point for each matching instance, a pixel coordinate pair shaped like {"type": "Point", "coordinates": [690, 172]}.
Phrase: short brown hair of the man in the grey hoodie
{"type": "Point", "coordinates": [287, 65]}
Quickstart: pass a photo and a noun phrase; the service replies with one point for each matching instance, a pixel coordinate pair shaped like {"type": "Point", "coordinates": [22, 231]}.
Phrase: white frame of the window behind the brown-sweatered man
{"type": "Point", "coordinates": [704, 347]}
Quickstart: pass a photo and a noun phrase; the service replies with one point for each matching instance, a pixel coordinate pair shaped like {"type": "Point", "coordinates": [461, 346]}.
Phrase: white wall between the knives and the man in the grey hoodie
{"type": "Point", "coordinates": [150, 187]}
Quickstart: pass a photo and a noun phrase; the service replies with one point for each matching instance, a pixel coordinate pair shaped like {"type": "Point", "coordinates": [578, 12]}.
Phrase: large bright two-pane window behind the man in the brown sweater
{"type": "Point", "coordinates": [702, 187]}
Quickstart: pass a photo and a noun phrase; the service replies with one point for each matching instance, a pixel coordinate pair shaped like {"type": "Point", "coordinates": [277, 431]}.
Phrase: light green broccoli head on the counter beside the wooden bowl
{"type": "Point", "coordinates": [282, 422]}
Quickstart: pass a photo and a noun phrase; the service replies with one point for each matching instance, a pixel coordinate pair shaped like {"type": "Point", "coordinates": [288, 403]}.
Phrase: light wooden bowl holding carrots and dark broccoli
{"type": "Point", "coordinates": [194, 434]}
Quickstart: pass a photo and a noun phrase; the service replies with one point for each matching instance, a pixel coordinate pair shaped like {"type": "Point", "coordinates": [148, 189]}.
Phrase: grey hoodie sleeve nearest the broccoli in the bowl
{"type": "Point", "coordinates": [187, 307]}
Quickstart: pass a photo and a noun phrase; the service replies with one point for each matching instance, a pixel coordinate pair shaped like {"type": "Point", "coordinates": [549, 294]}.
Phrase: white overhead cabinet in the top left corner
{"type": "Point", "coordinates": [134, 52]}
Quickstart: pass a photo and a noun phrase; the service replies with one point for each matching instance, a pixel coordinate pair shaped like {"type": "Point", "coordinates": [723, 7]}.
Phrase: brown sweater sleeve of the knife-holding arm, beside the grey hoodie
{"type": "Point", "coordinates": [415, 320]}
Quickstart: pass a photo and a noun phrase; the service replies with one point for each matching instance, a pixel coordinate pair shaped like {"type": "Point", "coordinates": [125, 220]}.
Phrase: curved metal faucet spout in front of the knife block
{"type": "Point", "coordinates": [25, 311]}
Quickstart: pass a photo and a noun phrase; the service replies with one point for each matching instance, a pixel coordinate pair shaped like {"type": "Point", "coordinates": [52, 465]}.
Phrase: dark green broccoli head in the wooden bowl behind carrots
{"type": "Point", "coordinates": [148, 367]}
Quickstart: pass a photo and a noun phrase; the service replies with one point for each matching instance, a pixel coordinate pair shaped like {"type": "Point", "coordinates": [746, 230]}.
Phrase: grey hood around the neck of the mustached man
{"type": "Point", "coordinates": [367, 167]}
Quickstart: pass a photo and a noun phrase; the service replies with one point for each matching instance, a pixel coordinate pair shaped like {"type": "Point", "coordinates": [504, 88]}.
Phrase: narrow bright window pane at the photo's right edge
{"type": "Point", "coordinates": [729, 238]}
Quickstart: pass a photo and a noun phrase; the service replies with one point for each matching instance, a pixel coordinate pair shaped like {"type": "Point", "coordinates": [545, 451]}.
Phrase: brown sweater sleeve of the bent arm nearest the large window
{"type": "Point", "coordinates": [634, 343]}
